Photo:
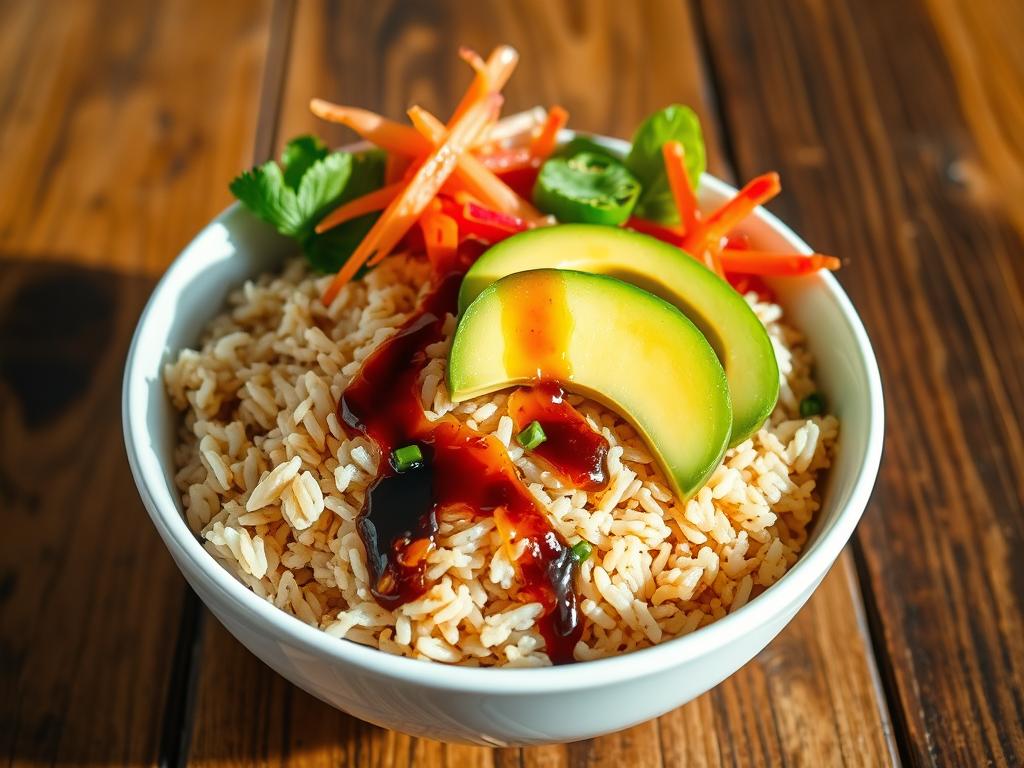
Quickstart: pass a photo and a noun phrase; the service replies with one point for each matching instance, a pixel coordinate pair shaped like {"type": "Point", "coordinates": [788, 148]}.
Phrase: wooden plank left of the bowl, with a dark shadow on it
{"type": "Point", "coordinates": [115, 120]}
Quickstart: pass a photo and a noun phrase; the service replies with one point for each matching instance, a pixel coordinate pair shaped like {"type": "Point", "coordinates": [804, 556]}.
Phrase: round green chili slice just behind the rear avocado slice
{"type": "Point", "coordinates": [587, 188]}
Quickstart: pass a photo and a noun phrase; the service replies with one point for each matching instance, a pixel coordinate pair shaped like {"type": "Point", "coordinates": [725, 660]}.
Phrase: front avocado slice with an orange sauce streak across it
{"type": "Point", "coordinates": [608, 340]}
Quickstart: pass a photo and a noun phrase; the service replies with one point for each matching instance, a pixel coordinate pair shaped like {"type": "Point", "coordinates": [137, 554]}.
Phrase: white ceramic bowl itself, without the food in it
{"type": "Point", "coordinates": [486, 706]}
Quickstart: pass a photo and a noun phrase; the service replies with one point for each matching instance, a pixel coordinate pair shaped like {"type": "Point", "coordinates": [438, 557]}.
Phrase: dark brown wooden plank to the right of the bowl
{"type": "Point", "coordinates": [908, 115]}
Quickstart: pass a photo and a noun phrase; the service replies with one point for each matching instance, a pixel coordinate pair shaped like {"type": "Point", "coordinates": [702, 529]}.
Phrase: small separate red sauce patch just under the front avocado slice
{"type": "Point", "coordinates": [573, 450]}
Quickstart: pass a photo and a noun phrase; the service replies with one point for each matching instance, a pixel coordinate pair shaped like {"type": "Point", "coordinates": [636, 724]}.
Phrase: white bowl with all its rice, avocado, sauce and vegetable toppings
{"type": "Point", "coordinates": [547, 418]}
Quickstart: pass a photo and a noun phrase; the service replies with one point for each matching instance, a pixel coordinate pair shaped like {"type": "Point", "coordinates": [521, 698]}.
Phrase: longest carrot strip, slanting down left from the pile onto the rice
{"type": "Point", "coordinates": [405, 209]}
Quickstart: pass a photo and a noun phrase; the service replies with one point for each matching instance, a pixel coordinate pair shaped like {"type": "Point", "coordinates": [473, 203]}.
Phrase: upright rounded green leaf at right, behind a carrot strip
{"type": "Point", "coordinates": [676, 123]}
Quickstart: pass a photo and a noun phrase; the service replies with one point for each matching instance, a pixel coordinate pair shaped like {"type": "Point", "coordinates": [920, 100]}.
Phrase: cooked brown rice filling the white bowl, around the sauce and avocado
{"type": "Point", "coordinates": [273, 486]}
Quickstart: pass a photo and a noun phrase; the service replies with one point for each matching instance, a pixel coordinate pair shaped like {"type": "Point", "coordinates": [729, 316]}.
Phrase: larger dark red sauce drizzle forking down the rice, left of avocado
{"type": "Point", "coordinates": [462, 470]}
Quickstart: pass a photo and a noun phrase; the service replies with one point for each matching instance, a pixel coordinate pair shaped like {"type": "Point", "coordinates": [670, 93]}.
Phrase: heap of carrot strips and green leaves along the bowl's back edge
{"type": "Point", "coordinates": [350, 211]}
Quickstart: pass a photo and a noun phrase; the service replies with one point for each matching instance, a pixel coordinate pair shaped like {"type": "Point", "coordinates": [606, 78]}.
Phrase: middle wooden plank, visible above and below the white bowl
{"type": "Point", "coordinates": [812, 698]}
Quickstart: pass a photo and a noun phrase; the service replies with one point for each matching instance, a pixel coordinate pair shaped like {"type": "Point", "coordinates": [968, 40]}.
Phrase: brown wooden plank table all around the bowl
{"type": "Point", "coordinates": [898, 129]}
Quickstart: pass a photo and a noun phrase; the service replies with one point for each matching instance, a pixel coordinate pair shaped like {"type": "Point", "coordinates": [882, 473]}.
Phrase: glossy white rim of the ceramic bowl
{"type": "Point", "coordinates": [799, 581]}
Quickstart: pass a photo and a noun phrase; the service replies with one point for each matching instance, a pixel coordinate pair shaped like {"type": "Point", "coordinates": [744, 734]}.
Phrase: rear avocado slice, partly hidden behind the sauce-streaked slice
{"type": "Point", "coordinates": [722, 315]}
